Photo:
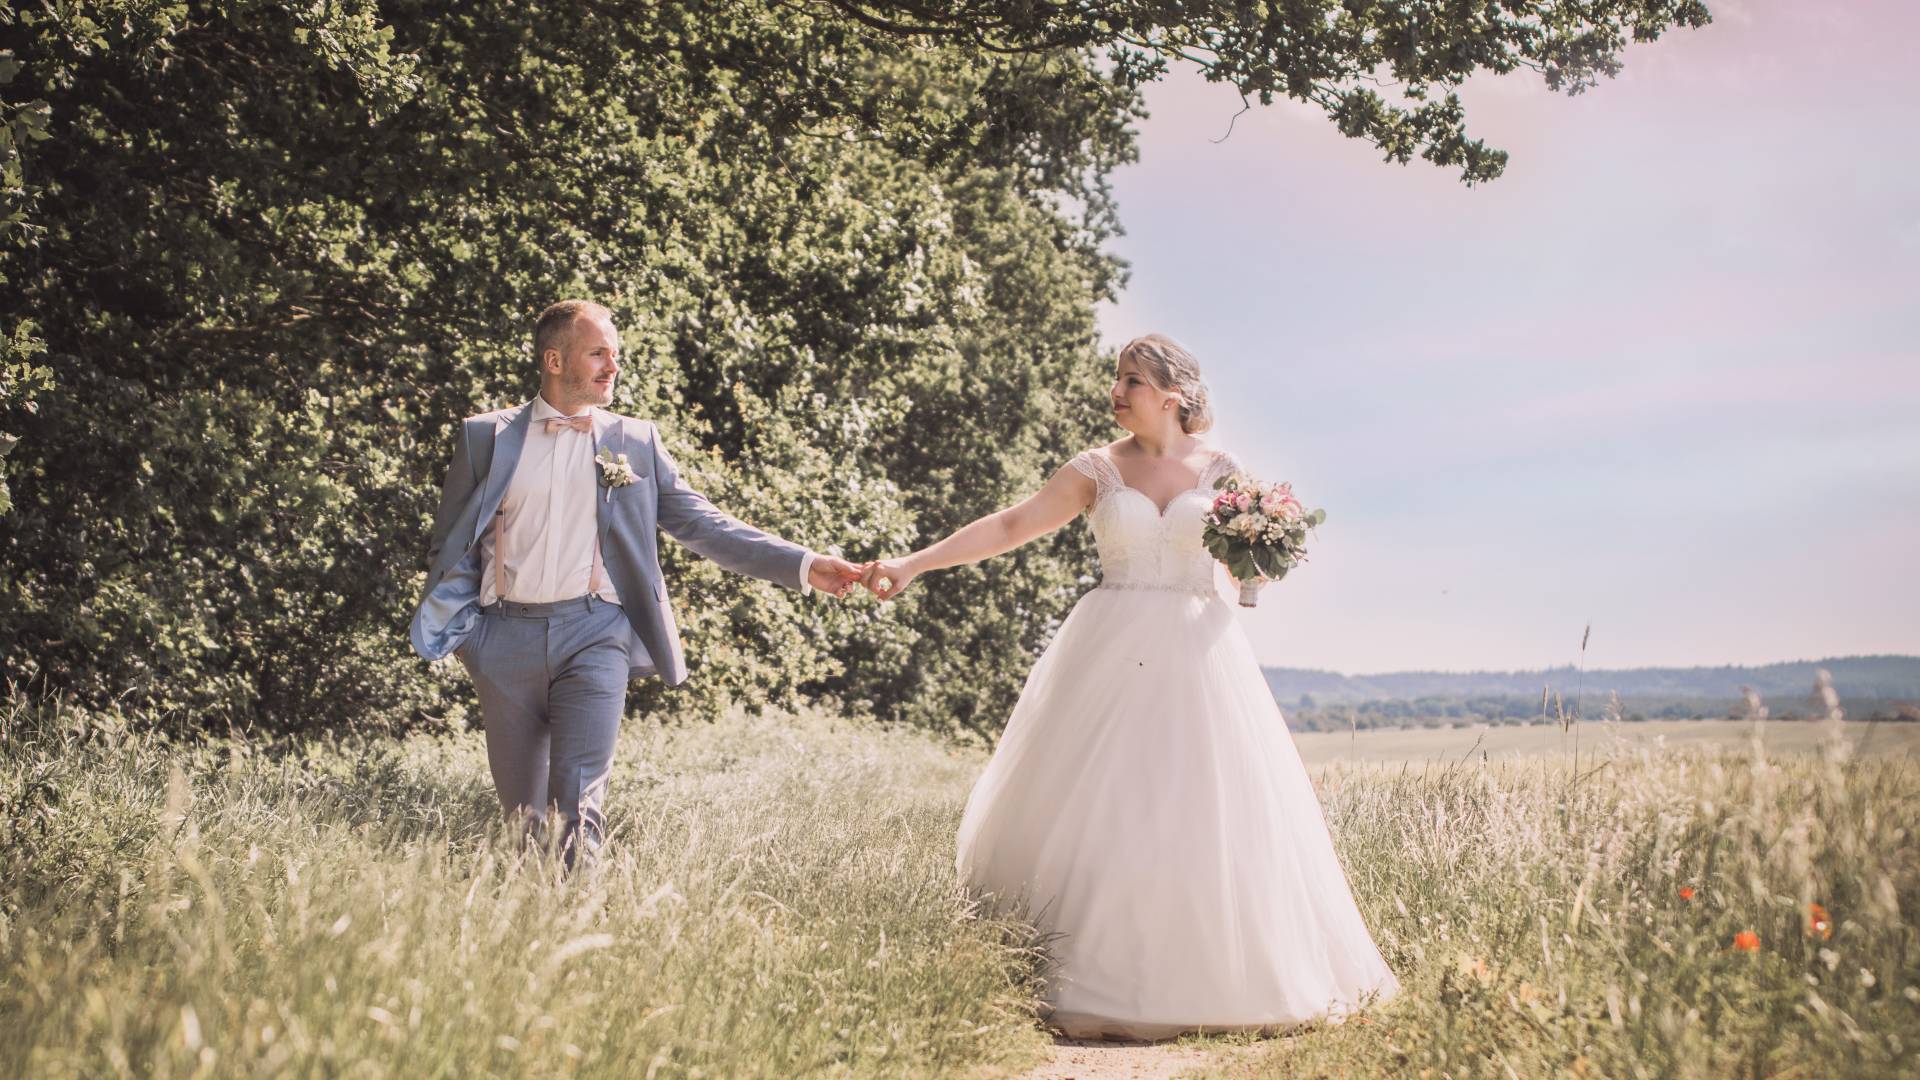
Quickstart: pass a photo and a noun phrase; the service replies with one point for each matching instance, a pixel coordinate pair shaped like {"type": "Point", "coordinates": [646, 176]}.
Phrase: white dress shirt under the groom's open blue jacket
{"type": "Point", "coordinates": [544, 543]}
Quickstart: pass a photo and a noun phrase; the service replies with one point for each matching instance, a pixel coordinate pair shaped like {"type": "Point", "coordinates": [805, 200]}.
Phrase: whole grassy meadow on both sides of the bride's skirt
{"type": "Point", "coordinates": [780, 902]}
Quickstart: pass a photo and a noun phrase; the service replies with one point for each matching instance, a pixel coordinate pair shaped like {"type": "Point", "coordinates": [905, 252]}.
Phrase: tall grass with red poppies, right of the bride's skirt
{"type": "Point", "coordinates": [1558, 921]}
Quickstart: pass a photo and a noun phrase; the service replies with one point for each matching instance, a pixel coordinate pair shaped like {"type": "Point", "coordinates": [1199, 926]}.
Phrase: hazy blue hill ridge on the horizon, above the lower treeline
{"type": "Point", "coordinates": [1867, 677]}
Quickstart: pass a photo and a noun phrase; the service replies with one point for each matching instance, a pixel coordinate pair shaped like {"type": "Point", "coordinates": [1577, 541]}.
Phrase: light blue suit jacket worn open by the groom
{"type": "Point", "coordinates": [631, 520]}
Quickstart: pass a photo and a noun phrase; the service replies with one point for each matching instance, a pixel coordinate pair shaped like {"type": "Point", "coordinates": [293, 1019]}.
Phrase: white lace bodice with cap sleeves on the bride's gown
{"type": "Point", "coordinates": [1143, 547]}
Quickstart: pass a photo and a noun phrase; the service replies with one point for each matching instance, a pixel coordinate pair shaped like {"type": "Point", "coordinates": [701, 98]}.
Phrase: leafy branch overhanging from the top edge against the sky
{"type": "Point", "coordinates": [1326, 53]}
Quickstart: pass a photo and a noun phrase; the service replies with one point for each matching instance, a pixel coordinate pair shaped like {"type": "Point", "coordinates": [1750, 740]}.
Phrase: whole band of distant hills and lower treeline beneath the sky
{"type": "Point", "coordinates": [1886, 689]}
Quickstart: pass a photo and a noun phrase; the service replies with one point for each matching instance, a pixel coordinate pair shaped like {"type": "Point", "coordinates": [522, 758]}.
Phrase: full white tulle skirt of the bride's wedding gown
{"type": "Point", "coordinates": [1149, 808]}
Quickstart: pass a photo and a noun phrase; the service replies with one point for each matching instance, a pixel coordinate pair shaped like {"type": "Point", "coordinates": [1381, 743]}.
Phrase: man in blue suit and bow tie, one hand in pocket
{"type": "Point", "coordinates": [544, 572]}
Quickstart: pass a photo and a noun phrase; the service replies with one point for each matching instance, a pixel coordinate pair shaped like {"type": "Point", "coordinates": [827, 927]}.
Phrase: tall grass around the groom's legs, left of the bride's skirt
{"type": "Point", "coordinates": [779, 902]}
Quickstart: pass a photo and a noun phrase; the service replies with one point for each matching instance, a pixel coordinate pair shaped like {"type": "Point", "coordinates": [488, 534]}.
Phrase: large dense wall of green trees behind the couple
{"type": "Point", "coordinates": [260, 260]}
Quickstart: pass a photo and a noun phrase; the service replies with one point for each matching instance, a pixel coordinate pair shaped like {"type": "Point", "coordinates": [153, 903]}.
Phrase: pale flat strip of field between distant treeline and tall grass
{"type": "Point", "coordinates": [1451, 745]}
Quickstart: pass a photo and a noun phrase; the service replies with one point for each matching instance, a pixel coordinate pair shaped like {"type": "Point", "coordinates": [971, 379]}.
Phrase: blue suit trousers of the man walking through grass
{"type": "Point", "coordinates": [552, 681]}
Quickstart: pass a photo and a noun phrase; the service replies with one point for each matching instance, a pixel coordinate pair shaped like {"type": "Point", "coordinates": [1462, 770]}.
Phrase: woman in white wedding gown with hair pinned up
{"type": "Point", "coordinates": [1145, 800]}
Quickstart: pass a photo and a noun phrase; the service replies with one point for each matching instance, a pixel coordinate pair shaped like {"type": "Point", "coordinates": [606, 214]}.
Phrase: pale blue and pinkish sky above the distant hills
{"type": "Point", "coordinates": [1662, 378]}
